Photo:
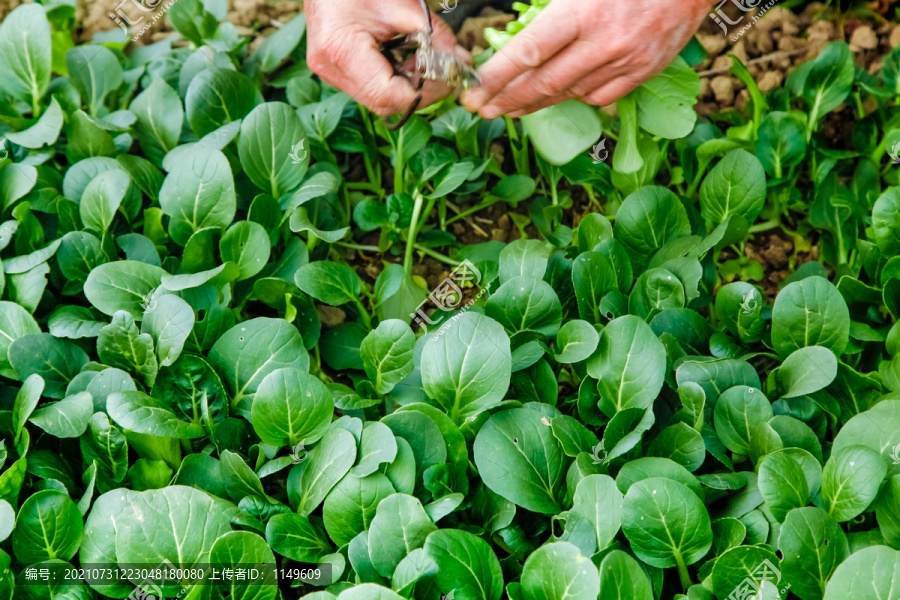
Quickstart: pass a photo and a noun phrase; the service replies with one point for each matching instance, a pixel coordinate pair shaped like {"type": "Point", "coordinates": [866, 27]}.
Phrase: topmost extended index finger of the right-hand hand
{"type": "Point", "coordinates": [549, 33]}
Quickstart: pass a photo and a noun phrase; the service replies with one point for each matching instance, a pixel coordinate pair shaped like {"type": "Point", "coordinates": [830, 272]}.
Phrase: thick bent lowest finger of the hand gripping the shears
{"type": "Point", "coordinates": [352, 61]}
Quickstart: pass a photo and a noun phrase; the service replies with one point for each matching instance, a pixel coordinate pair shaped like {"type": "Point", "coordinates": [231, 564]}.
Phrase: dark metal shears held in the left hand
{"type": "Point", "coordinates": [429, 63]}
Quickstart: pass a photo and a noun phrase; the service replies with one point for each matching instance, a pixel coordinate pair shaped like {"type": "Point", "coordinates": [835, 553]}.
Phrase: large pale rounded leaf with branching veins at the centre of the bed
{"type": "Point", "coordinates": [467, 370]}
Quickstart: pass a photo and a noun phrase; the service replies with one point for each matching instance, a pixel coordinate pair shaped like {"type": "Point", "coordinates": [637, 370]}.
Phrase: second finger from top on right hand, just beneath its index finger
{"type": "Point", "coordinates": [554, 78]}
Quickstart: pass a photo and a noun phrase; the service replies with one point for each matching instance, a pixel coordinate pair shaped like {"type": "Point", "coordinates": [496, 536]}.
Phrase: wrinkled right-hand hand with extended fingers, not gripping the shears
{"type": "Point", "coordinates": [595, 50]}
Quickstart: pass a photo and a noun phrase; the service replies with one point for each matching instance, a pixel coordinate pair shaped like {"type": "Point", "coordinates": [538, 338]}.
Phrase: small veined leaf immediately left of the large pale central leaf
{"type": "Point", "coordinates": [387, 354]}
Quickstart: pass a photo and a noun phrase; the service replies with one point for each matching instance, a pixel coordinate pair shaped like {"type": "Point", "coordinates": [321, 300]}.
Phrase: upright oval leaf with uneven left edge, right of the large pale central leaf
{"type": "Point", "coordinates": [629, 363]}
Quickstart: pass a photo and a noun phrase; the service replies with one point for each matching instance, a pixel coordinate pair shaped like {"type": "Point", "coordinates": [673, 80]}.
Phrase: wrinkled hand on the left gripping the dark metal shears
{"type": "Point", "coordinates": [343, 48]}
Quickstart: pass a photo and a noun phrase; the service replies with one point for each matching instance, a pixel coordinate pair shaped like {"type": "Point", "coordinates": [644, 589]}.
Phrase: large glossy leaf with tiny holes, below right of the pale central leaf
{"type": "Point", "coordinates": [519, 459]}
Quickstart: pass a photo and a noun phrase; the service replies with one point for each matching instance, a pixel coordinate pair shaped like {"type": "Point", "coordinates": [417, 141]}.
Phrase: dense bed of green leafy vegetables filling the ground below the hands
{"type": "Point", "coordinates": [246, 324]}
